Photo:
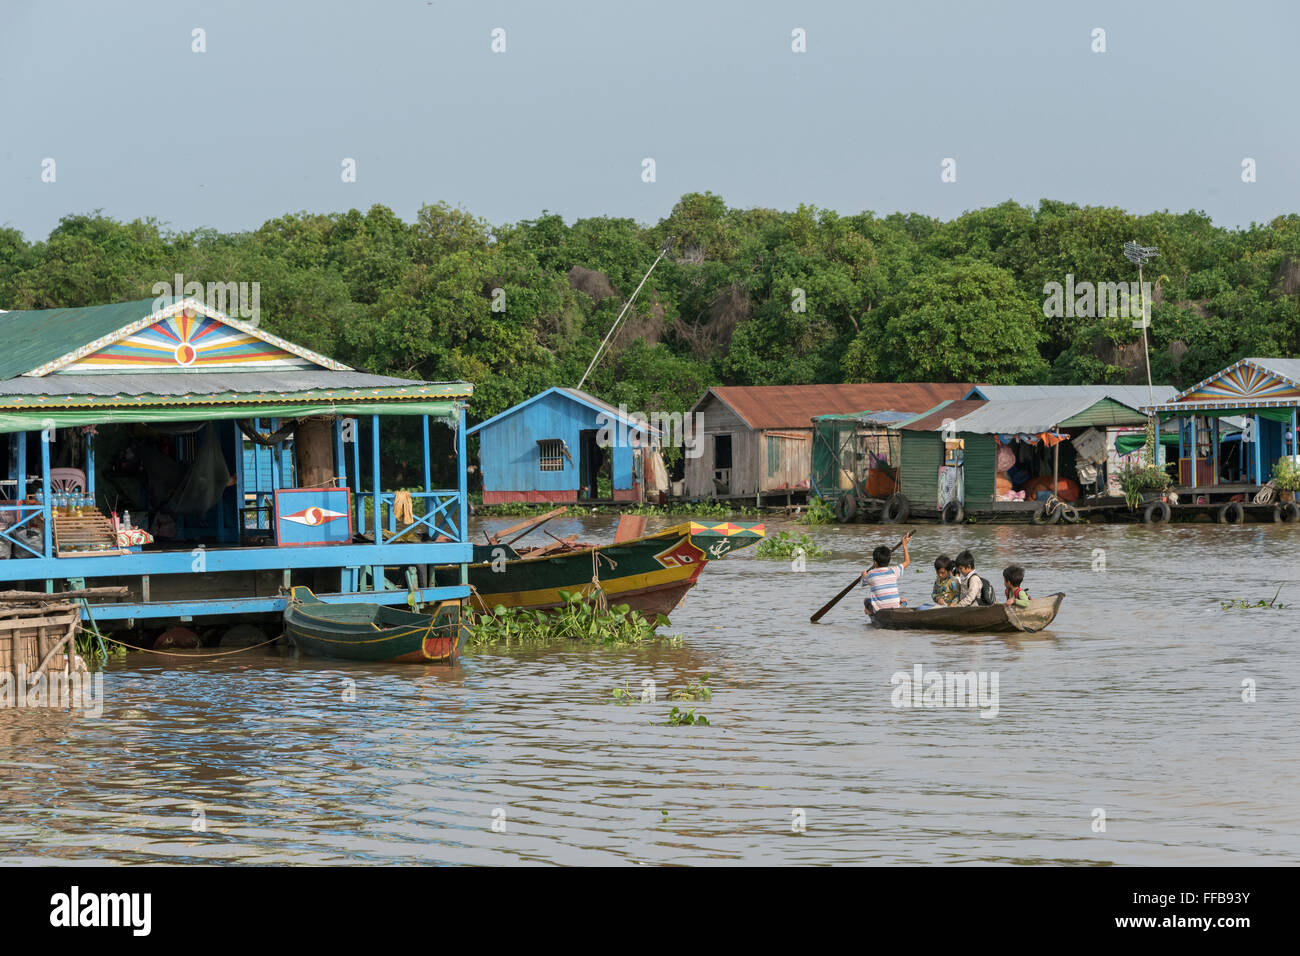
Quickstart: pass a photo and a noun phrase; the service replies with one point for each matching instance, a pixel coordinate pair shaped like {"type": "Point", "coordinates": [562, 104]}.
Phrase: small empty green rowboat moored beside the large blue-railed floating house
{"type": "Point", "coordinates": [371, 633]}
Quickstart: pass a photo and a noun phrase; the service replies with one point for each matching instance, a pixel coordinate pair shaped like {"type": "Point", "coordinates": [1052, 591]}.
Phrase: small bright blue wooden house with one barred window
{"type": "Point", "coordinates": [562, 445]}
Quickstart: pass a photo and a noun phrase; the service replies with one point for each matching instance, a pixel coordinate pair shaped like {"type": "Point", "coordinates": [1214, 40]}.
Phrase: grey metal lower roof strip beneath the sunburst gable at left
{"type": "Point", "coordinates": [194, 383]}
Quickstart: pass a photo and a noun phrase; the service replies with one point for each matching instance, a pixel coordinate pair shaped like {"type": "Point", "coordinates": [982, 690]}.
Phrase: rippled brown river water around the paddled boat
{"type": "Point", "coordinates": [1132, 704]}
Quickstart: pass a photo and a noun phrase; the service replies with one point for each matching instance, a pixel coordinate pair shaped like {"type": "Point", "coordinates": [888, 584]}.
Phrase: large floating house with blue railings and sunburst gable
{"type": "Point", "coordinates": [148, 408]}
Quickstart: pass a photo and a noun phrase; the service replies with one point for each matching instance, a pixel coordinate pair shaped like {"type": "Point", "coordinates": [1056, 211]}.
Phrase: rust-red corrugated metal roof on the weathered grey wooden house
{"type": "Point", "coordinates": [795, 406]}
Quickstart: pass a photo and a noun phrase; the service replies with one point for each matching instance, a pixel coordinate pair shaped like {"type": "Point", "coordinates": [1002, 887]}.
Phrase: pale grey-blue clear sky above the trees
{"type": "Point", "coordinates": [262, 123]}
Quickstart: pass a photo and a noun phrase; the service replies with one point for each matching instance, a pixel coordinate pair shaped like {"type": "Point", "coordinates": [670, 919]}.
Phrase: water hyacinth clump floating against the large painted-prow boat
{"type": "Point", "coordinates": [587, 618]}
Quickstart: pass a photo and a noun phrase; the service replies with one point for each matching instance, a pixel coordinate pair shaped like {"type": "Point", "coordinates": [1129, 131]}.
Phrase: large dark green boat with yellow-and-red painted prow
{"type": "Point", "coordinates": [651, 574]}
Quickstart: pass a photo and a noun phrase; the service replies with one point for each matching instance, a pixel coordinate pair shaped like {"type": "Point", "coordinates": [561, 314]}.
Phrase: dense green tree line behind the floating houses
{"type": "Point", "coordinates": [747, 297]}
